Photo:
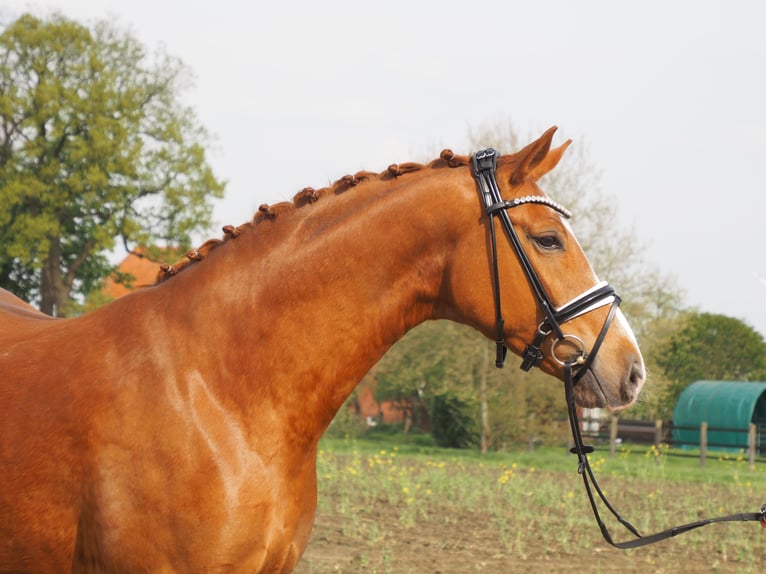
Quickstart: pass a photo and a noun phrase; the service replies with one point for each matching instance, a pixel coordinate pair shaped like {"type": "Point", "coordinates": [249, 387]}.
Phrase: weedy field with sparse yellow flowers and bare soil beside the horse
{"type": "Point", "coordinates": [389, 507]}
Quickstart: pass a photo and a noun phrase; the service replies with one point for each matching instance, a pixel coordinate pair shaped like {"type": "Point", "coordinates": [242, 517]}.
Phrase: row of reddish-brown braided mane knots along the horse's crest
{"type": "Point", "coordinates": [306, 196]}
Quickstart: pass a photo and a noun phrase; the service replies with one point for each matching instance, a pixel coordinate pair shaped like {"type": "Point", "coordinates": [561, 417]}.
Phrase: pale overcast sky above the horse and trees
{"type": "Point", "coordinates": [669, 96]}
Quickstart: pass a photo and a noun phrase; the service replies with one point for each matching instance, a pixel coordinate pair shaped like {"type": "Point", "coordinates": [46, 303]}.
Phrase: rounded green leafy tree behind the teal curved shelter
{"type": "Point", "coordinates": [707, 346]}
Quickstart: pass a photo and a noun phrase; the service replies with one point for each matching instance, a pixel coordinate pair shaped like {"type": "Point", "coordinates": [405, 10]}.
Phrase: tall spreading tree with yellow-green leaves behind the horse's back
{"type": "Point", "coordinates": [96, 147]}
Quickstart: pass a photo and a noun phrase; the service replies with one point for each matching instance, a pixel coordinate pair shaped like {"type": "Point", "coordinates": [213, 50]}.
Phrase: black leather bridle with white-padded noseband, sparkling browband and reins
{"type": "Point", "coordinates": [576, 364]}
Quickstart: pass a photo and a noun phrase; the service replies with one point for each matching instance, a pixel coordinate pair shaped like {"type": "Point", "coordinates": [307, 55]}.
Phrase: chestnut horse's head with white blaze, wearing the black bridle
{"type": "Point", "coordinates": [555, 312]}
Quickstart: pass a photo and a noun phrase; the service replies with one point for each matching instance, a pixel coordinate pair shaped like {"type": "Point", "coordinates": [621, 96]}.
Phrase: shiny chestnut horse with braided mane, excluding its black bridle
{"type": "Point", "coordinates": [176, 429]}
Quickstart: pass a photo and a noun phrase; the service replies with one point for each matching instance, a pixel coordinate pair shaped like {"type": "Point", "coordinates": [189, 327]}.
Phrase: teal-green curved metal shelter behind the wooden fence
{"type": "Point", "coordinates": [728, 408]}
